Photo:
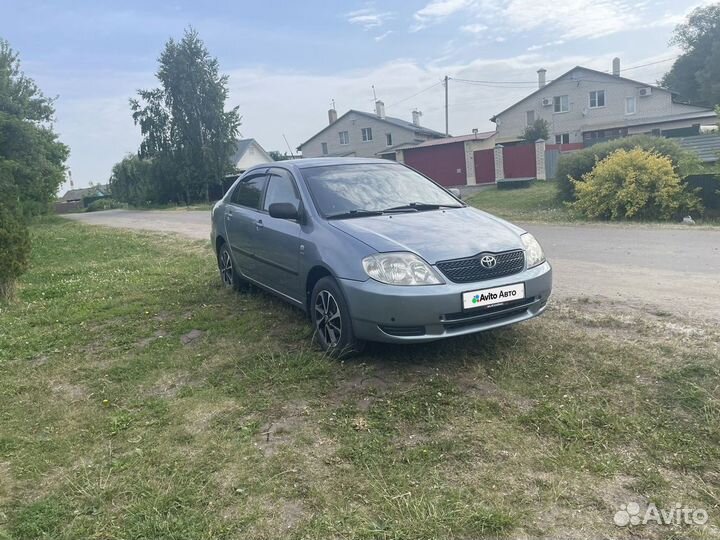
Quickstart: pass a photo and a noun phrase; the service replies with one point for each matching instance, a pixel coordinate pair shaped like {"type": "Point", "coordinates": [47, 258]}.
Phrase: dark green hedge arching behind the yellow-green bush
{"type": "Point", "coordinates": [578, 164]}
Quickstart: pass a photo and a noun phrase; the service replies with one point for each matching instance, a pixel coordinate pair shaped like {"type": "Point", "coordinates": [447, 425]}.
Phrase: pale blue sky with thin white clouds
{"type": "Point", "coordinates": [287, 60]}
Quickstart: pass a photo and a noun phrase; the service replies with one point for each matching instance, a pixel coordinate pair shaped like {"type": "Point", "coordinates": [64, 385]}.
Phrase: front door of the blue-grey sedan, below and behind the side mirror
{"type": "Point", "coordinates": [278, 245]}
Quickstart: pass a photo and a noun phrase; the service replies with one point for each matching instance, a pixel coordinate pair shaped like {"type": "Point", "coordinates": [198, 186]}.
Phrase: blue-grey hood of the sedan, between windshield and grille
{"type": "Point", "coordinates": [435, 235]}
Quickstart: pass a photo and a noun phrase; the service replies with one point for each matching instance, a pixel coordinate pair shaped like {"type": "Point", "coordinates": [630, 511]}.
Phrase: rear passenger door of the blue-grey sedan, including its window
{"type": "Point", "coordinates": [242, 214]}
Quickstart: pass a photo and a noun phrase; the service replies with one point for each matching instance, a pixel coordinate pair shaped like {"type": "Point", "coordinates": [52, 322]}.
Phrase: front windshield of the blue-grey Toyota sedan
{"type": "Point", "coordinates": [367, 189]}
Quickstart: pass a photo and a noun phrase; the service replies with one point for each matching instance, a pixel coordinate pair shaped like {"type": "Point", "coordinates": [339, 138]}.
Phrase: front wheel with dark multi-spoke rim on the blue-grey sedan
{"type": "Point", "coordinates": [330, 316]}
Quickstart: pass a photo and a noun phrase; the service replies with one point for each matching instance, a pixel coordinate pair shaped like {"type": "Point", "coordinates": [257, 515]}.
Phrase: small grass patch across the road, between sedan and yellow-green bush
{"type": "Point", "coordinates": [538, 202]}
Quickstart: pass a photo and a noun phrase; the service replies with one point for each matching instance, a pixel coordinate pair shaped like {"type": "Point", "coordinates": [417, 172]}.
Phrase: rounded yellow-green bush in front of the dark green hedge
{"type": "Point", "coordinates": [633, 184]}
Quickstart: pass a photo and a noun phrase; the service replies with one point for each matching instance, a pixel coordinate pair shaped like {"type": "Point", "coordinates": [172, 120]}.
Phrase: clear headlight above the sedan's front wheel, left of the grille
{"type": "Point", "coordinates": [400, 269]}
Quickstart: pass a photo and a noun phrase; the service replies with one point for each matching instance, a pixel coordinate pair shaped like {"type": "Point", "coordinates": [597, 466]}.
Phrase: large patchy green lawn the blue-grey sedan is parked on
{"type": "Point", "coordinates": [112, 427]}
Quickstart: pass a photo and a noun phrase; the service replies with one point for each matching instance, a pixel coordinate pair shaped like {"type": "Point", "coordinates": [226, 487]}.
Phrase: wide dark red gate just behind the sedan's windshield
{"type": "Point", "coordinates": [444, 163]}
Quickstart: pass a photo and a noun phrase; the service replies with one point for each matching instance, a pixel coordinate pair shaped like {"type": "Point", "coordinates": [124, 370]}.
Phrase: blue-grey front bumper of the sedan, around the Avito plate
{"type": "Point", "coordinates": [397, 314]}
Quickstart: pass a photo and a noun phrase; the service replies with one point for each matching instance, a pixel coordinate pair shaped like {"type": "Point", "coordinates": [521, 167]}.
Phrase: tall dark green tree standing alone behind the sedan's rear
{"type": "Point", "coordinates": [186, 131]}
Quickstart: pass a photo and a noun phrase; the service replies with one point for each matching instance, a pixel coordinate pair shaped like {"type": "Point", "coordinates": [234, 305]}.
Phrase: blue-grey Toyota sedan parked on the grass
{"type": "Point", "coordinates": [373, 250]}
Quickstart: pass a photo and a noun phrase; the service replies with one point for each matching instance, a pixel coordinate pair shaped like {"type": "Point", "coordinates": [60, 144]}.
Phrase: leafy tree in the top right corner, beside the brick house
{"type": "Point", "coordinates": [695, 75]}
